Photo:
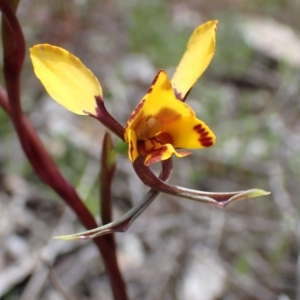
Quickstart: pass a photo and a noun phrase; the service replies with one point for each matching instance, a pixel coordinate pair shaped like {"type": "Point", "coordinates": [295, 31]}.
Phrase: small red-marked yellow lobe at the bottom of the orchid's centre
{"type": "Point", "coordinates": [163, 153]}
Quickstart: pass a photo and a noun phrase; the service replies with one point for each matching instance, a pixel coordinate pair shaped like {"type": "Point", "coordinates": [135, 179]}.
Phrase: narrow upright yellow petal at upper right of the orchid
{"type": "Point", "coordinates": [199, 52]}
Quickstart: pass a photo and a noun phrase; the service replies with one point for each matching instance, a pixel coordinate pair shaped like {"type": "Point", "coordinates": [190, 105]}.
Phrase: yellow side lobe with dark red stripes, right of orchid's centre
{"type": "Point", "coordinates": [190, 133]}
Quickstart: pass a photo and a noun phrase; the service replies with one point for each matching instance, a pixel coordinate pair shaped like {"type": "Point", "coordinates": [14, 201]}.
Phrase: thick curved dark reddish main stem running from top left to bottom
{"type": "Point", "coordinates": [42, 163]}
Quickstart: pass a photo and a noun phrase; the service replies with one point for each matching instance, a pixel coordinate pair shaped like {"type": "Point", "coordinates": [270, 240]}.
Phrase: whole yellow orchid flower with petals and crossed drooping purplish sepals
{"type": "Point", "coordinates": [161, 125]}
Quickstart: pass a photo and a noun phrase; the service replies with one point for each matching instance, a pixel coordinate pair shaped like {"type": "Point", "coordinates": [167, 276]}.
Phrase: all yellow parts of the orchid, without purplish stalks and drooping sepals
{"type": "Point", "coordinates": [162, 123]}
